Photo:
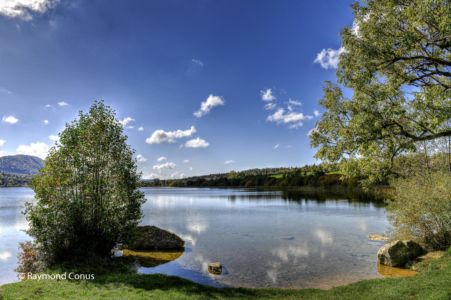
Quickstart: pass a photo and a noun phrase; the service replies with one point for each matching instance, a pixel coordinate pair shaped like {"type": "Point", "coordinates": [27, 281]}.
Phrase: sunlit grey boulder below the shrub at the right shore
{"type": "Point", "coordinates": [399, 253]}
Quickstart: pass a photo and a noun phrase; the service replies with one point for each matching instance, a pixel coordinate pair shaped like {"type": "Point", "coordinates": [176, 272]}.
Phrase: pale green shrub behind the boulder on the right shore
{"type": "Point", "coordinates": [421, 209]}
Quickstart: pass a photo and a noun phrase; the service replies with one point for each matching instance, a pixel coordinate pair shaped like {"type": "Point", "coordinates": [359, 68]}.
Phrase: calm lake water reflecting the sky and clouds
{"type": "Point", "coordinates": [262, 238]}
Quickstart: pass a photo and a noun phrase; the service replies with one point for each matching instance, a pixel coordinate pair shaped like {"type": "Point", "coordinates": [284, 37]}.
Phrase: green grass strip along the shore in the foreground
{"type": "Point", "coordinates": [433, 282]}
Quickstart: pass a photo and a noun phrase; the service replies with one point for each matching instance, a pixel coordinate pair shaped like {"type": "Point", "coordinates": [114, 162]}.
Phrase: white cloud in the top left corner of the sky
{"type": "Point", "coordinates": [23, 9]}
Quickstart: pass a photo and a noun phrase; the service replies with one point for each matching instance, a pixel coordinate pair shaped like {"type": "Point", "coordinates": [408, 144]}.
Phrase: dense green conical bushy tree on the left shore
{"type": "Point", "coordinates": [87, 196]}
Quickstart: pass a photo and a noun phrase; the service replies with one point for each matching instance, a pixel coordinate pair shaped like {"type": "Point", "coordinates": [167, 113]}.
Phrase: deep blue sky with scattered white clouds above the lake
{"type": "Point", "coordinates": [210, 85]}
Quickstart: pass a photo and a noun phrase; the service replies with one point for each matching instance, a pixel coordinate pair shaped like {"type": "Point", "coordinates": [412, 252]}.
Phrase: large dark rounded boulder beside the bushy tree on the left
{"type": "Point", "coordinates": [151, 238]}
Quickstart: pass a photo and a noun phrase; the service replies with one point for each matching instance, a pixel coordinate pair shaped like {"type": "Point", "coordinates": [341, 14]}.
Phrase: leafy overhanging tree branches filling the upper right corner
{"type": "Point", "coordinates": [396, 61]}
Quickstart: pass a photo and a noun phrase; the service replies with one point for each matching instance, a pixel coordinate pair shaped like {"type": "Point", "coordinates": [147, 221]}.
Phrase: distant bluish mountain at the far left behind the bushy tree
{"type": "Point", "coordinates": [20, 164]}
